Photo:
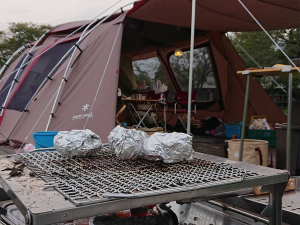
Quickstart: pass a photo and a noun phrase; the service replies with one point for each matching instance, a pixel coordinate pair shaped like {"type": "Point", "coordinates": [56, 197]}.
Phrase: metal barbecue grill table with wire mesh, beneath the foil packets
{"type": "Point", "coordinates": [67, 189]}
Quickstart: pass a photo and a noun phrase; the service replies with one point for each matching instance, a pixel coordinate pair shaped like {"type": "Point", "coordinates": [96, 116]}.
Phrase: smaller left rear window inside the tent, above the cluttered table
{"type": "Point", "coordinates": [151, 70]}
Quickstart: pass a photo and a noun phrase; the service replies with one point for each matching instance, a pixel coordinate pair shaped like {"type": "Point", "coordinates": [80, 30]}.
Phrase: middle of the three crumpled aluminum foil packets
{"type": "Point", "coordinates": [127, 143]}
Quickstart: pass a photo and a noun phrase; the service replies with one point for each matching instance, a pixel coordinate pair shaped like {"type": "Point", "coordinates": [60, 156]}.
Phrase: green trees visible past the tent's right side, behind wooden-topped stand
{"type": "Point", "coordinates": [266, 54]}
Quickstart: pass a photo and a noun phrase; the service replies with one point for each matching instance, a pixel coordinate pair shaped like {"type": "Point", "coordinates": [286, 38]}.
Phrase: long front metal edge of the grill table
{"type": "Point", "coordinates": [122, 204]}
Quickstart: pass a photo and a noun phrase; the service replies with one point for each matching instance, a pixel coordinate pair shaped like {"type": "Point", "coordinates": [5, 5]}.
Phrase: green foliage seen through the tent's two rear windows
{"type": "Point", "coordinates": [152, 69]}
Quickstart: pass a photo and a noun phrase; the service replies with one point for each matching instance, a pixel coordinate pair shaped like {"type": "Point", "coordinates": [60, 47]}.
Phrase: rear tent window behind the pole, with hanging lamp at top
{"type": "Point", "coordinates": [203, 73]}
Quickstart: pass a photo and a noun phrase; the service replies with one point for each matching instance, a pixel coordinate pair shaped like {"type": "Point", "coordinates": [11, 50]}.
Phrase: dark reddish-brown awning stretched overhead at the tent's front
{"type": "Point", "coordinates": [220, 15]}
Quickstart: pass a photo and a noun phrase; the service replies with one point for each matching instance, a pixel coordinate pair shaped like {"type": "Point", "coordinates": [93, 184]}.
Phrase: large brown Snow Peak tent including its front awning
{"type": "Point", "coordinates": [151, 29]}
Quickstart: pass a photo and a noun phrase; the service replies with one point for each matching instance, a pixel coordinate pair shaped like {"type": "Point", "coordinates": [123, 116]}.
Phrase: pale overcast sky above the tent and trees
{"type": "Point", "coordinates": [53, 12]}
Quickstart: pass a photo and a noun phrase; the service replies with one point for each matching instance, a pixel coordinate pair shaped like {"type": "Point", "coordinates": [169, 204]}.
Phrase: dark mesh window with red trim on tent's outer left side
{"type": "Point", "coordinates": [37, 74]}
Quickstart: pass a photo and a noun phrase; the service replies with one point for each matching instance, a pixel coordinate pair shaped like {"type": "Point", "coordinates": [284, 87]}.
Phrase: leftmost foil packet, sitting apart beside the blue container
{"type": "Point", "coordinates": [77, 143]}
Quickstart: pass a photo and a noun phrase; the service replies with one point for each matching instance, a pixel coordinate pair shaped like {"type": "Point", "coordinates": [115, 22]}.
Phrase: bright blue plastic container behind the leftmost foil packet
{"type": "Point", "coordinates": [44, 139]}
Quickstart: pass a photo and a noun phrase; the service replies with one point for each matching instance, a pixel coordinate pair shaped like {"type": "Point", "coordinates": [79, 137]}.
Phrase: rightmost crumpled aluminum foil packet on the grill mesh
{"type": "Point", "coordinates": [169, 147]}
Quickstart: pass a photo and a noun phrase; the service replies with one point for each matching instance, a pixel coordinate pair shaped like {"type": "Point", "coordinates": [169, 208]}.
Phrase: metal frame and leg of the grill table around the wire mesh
{"type": "Point", "coordinates": [51, 207]}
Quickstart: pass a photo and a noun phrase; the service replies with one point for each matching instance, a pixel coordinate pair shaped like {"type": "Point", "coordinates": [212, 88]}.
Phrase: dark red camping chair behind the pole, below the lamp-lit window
{"type": "Point", "coordinates": [181, 99]}
